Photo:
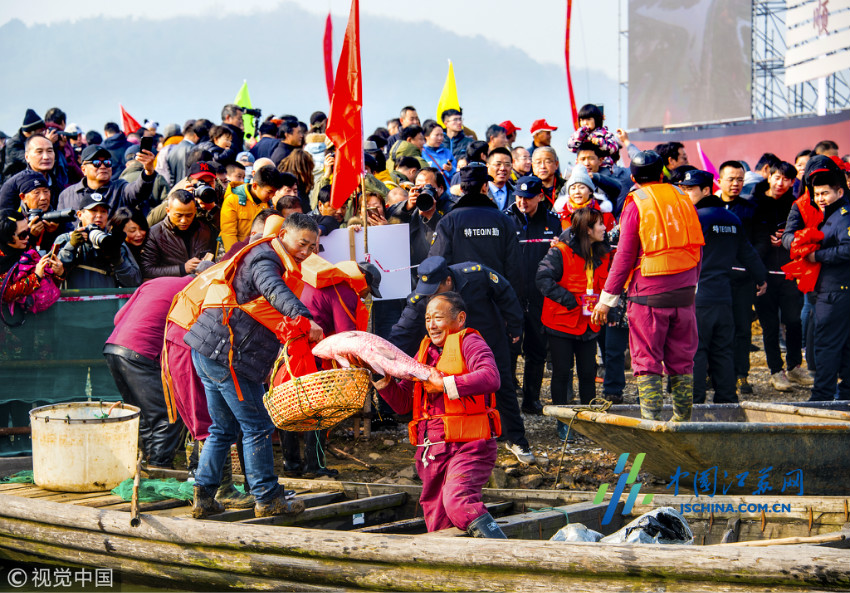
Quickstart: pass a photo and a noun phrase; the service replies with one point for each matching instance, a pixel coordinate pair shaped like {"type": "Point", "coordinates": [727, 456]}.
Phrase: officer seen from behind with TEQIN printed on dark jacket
{"type": "Point", "coordinates": [476, 230]}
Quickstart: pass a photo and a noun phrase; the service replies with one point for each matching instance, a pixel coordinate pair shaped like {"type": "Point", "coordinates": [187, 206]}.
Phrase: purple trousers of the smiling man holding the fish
{"type": "Point", "coordinates": [452, 481]}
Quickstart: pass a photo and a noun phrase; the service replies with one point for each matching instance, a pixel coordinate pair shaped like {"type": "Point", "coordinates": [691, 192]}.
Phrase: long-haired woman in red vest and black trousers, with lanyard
{"type": "Point", "coordinates": [571, 276]}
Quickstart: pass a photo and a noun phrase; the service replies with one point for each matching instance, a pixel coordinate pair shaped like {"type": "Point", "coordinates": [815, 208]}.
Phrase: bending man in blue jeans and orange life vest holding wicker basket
{"type": "Point", "coordinates": [234, 342]}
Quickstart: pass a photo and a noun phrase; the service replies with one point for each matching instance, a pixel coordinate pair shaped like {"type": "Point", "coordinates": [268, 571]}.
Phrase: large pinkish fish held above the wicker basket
{"type": "Point", "coordinates": [383, 357]}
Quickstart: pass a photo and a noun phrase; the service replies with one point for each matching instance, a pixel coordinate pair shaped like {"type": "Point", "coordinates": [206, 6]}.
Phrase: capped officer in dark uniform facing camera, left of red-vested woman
{"type": "Point", "coordinates": [534, 222]}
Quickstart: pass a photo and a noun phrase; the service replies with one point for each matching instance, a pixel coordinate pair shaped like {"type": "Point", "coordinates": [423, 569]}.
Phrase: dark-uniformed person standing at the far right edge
{"type": "Point", "coordinates": [832, 308]}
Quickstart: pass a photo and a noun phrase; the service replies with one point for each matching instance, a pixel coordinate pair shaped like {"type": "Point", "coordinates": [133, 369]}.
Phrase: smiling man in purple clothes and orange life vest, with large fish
{"type": "Point", "coordinates": [455, 422]}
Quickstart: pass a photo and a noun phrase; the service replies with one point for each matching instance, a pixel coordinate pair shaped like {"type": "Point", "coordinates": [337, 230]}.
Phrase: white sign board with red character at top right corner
{"type": "Point", "coordinates": [818, 39]}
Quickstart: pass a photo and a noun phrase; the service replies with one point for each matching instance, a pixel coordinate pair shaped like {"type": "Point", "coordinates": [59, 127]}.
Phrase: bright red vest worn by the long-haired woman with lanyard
{"type": "Point", "coordinates": [577, 280]}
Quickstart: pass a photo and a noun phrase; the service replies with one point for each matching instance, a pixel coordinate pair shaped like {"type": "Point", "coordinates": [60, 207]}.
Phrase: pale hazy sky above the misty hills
{"type": "Point", "coordinates": [536, 27]}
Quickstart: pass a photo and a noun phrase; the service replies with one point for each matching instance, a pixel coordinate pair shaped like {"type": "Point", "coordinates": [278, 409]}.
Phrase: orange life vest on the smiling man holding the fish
{"type": "Point", "coordinates": [469, 418]}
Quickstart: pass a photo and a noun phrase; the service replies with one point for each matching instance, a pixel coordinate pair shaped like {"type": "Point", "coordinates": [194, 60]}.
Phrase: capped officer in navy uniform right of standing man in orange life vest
{"type": "Point", "coordinates": [725, 244]}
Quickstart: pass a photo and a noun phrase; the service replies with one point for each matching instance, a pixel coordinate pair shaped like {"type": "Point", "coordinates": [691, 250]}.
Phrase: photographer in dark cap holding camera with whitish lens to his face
{"type": "Point", "coordinates": [92, 257]}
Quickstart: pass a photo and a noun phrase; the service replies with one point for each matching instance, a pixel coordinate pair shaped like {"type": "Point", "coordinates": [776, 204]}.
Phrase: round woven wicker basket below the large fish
{"type": "Point", "coordinates": [317, 401]}
